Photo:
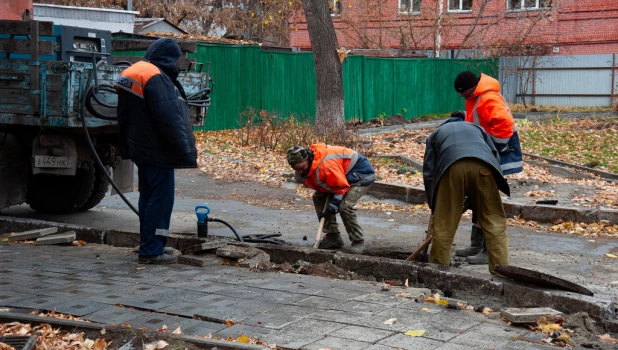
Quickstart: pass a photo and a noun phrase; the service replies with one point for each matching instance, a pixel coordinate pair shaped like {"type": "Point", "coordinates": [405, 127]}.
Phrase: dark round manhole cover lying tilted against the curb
{"type": "Point", "coordinates": [540, 279]}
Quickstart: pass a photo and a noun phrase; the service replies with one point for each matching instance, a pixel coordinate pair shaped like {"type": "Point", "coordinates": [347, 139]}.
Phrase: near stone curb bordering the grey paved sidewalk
{"type": "Point", "coordinates": [460, 283]}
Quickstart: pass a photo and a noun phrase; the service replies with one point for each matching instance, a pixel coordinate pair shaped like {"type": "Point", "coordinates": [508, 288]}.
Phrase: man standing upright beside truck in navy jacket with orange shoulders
{"type": "Point", "coordinates": [156, 133]}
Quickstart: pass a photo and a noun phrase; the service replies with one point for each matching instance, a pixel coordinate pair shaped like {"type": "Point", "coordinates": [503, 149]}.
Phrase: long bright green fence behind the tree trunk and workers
{"type": "Point", "coordinates": [247, 77]}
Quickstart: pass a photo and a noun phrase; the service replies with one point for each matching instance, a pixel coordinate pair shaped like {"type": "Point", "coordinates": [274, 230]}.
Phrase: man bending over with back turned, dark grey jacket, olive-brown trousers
{"type": "Point", "coordinates": [461, 161]}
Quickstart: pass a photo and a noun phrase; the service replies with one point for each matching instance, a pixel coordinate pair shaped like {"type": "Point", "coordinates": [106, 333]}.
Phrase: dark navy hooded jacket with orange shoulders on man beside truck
{"type": "Point", "coordinates": [154, 126]}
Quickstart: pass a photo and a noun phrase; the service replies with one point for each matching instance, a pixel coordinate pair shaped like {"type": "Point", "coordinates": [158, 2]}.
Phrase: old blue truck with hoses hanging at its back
{"type": "Point", "coordinates": [58, 129]}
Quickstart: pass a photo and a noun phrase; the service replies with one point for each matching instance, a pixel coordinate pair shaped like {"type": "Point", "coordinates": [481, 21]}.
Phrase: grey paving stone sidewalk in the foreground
{"type": "Point", "coordinates": [105, 284]}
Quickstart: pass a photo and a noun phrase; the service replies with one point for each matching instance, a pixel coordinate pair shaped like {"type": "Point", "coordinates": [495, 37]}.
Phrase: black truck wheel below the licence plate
{"type": "Point", "coordinates": [61, 194]}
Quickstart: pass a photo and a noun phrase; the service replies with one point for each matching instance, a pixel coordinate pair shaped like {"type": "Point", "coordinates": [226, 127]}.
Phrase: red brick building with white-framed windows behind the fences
{"type": "Point", "coordinates": [478, 27]}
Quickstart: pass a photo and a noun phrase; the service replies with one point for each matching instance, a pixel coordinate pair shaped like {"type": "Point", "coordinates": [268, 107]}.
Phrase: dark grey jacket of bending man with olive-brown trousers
{"type": "Point", "coordinates": [452, 141]}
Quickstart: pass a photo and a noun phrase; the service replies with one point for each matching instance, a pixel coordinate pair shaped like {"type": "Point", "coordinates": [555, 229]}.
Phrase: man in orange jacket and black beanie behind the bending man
{"type": "Point", "coordinates": [486, 107]}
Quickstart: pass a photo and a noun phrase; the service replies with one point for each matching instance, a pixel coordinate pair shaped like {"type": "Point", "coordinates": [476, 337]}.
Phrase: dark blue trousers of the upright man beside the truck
{"type": "Point", "coordinates": [156, 201]}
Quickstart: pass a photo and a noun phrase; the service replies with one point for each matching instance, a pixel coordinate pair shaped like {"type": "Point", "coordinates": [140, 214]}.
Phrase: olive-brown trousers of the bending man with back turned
{"type": "Point", "coordinates": [473, 178]}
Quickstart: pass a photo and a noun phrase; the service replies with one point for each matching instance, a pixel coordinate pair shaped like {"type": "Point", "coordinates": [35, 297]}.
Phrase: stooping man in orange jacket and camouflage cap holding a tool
{"type": "Point", "coordinates": [345, 176]}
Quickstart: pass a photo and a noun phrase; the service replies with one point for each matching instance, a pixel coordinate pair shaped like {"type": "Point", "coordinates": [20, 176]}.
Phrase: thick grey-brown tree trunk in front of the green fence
{"type": "Point", "coordinates": [329, 113]}
